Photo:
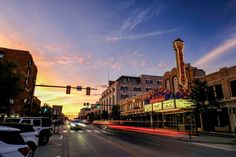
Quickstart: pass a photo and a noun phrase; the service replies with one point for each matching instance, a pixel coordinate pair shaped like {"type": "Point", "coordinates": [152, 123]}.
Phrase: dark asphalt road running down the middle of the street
{"type": "Point", "coordinates": [92, 141]}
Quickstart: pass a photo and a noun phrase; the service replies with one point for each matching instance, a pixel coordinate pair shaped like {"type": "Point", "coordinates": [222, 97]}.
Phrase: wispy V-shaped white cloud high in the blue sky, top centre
{"type": "Point", "coordinates": [136, 17]}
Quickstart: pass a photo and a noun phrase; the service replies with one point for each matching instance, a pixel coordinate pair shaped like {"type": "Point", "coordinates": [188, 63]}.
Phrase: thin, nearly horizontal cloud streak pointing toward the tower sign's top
{"type": "Point", "coordinates": [140, 36]}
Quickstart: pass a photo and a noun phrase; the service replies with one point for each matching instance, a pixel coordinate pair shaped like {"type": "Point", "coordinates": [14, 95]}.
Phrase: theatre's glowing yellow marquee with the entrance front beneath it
{"type": "Point", "coordinates": [174, 114]}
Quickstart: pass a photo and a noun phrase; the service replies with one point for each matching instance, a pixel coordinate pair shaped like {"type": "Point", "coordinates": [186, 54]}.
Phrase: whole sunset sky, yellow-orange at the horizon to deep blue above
{"type": "Point", "coordinates": [78, 42]}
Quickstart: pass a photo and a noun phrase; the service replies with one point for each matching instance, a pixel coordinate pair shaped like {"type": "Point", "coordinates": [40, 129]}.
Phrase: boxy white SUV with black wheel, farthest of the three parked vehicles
{"type": "Point", "coordinates": [41, 124]}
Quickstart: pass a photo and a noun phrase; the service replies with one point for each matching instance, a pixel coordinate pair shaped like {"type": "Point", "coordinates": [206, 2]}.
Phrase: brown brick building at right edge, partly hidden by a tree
{"type": "Point", "coordinates": [223, 85]}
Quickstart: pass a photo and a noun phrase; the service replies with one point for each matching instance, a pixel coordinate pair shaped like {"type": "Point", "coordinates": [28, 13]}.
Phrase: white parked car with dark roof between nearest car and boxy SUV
{"type": "Point", "coordinates": [28, 133]}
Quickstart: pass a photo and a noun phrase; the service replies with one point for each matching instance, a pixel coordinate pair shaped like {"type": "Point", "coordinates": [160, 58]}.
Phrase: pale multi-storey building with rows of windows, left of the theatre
{"type": "Point", "coordinates": [126, 87]}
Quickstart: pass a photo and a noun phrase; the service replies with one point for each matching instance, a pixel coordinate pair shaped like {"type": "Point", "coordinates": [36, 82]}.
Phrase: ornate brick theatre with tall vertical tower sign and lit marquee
{"type": "Point", "coordinates": [166, 105]}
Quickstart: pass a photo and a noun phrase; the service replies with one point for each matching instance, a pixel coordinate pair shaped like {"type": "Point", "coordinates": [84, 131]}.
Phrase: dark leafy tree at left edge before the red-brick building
{"type": "Point", "coordinates": [10, 85]}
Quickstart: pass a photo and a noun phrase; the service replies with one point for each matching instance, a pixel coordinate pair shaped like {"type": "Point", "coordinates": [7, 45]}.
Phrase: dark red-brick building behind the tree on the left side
{"type": "Point", "coordinates": [22, 104]}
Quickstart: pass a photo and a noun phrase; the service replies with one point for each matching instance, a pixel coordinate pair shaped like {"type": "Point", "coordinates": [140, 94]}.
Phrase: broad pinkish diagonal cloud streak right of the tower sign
{"type": "Point", "coordinates": [217, 52]}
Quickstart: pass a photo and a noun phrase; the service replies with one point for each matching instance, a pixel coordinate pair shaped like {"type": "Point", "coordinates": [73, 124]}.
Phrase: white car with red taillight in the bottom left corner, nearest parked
{"type": "Point", "coordinates": [12, 143]}
